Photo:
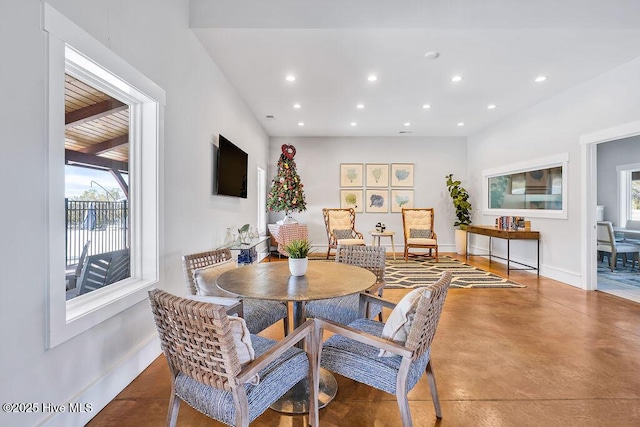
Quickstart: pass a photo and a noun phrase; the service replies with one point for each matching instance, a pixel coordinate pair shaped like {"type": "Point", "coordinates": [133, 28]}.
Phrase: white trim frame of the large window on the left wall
{"type": "Point", "coordinates": [68, 319]}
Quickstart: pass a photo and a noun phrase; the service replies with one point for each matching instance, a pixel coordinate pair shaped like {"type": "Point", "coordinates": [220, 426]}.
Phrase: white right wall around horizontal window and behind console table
{"type": "Point", "coordinates": [553, 127]}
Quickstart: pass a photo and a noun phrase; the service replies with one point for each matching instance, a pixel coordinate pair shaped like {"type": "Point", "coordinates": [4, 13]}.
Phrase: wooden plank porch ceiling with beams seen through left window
{"type": "Point", "coordinates": [96, 124]}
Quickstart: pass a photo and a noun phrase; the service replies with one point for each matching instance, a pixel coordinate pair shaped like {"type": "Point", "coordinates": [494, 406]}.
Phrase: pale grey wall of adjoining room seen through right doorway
{"type": "Point", "coordinates": [610, 155]}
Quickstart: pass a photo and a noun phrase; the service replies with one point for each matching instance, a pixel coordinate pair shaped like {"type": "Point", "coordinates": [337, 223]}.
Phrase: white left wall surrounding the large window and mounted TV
{"type": "Point", "coordinates": [154, 37]}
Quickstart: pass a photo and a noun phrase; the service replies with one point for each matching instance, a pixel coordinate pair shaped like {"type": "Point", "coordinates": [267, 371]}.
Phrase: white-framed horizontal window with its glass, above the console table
{"type": "Point", "coordinates": [536, 189]}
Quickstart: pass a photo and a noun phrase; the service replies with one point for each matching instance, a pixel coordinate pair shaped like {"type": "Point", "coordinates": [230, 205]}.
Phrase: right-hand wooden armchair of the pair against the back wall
{"type": "Point", "coordinates": [418, 230]}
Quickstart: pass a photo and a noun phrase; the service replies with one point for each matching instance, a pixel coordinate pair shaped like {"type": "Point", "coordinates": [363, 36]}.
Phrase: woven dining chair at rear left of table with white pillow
{"type": "Point", "coordinates": [201, 271]}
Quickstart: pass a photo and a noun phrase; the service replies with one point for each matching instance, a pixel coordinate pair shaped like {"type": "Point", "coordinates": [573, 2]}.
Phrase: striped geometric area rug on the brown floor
{"type": "Point", "coordinates": [421, 271]}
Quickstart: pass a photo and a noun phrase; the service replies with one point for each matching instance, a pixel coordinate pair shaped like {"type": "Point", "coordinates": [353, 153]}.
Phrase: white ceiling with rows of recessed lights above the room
{"type": "Point", "coordinates": [498, 46]}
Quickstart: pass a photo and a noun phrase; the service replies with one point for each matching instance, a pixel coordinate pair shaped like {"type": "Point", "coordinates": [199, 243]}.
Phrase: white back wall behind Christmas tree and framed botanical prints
{"type": "Point", "coordinates": [318, 164]}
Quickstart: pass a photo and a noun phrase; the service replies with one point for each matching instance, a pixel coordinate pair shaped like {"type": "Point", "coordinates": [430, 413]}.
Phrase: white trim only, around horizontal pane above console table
{"type": "Point", "coordinates": [544, 163]}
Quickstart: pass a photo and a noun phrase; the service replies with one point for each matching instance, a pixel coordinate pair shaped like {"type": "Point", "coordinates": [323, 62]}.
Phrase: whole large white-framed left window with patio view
{"type": "Point", "coordinates": [131, 159]}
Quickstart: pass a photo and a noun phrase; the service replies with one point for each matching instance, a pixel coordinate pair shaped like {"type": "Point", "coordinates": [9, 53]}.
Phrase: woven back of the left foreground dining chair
{"type": "Point", "coordinates": [196, 339]}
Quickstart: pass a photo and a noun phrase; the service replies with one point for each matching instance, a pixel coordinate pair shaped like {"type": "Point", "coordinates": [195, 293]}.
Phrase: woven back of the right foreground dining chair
{"type": "Point", "coordinates": [427, 316]}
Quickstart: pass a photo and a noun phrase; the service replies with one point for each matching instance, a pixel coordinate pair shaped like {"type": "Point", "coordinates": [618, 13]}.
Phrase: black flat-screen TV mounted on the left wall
{"type": "Point", "coordinates": [231, 170]}
